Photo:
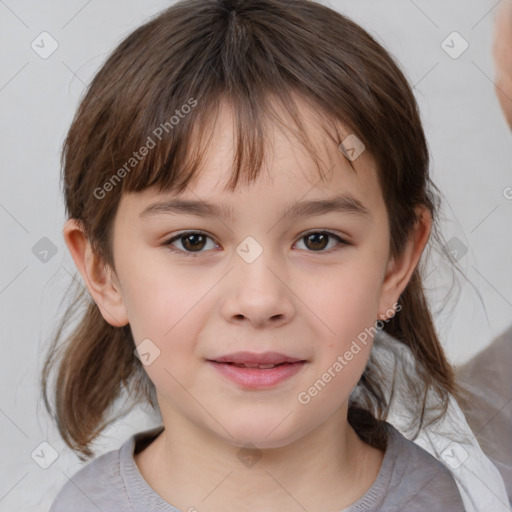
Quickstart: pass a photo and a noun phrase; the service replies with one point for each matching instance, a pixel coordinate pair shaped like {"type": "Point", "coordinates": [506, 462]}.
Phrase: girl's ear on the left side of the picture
{"type": "Point", "coordinates": [99, 278]}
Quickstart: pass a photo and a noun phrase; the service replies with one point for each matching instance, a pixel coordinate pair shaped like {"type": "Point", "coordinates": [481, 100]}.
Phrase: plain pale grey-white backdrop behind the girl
{"type": "Point", "coordinates": [471, 163]}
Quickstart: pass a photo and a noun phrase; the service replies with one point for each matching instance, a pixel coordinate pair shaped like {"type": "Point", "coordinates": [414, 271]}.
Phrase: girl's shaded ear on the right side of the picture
{"type": "Point", "coordinates": [400, 269]}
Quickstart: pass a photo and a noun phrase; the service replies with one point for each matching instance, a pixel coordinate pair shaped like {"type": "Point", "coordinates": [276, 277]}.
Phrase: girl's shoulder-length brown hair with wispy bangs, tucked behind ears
{"type": "Point", "coordinates": [164, 82]}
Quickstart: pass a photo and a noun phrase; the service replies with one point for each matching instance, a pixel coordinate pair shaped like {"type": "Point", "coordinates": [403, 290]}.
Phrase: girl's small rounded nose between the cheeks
{"type": "Point", "coordinates": [258, 293]}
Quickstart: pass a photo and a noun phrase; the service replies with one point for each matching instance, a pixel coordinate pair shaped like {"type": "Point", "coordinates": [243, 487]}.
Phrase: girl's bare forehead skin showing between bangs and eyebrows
{"type": "Point", "coordinates": [289, 173]}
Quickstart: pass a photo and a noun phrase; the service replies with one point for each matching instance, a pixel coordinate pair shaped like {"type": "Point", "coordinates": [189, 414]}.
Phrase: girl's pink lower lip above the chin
{"type": "Point", "coordinates": [256, 378]}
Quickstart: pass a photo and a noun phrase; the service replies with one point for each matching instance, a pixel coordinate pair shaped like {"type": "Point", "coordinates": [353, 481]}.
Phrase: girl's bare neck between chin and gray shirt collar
{"type": "Point", "coordinates": [328, 469]}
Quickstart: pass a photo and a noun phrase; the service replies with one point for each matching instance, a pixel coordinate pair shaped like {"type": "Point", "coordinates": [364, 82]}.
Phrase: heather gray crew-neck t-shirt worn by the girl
{"type": "Point", "coordinates": [409, 480]}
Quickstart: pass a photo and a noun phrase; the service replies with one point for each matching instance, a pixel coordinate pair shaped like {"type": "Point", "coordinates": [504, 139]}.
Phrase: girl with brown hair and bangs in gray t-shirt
{"type": "Point", "coordinates": [246, 313]}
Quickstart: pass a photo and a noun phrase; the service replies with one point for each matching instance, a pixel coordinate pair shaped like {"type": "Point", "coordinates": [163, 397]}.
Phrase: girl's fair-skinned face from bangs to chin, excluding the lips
{"type": "Point", "coordinates": [306, 298]}
